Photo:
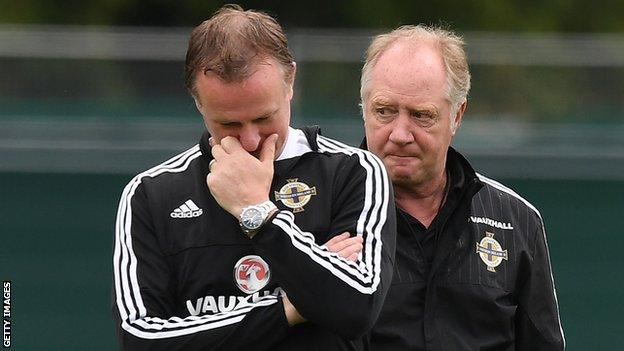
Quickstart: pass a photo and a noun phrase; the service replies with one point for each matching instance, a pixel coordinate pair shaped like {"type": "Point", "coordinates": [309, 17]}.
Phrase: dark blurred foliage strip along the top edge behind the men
{"type": "Point", "coordinates": [500, 15]}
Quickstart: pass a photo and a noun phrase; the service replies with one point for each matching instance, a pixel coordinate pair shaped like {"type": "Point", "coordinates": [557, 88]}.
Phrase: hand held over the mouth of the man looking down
{"type": "Point", "coordinates": [236, 178]}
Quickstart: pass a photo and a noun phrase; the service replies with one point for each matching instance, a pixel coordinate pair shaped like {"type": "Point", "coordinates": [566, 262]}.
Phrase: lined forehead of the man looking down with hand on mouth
{"type": "Point", "coordinates": [257, 94]}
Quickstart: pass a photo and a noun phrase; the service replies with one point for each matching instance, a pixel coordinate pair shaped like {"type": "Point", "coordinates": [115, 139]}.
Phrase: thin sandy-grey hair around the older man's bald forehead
{"type": "Point", "coordinates": [450, 46]}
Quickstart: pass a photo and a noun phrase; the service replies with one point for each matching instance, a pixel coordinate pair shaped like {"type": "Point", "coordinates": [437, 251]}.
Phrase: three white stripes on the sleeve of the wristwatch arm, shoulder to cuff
{"type": "Point", "coordinates": [364, 277]}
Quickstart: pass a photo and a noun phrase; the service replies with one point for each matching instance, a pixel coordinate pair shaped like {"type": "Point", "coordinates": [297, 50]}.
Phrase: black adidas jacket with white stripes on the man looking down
{"type": "Point", "coordinates": [185, 276]}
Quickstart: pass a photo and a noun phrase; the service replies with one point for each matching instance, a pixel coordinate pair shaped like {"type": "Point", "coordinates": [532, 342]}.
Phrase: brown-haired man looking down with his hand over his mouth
{"type": "Point", "coordinates": [262, 236]}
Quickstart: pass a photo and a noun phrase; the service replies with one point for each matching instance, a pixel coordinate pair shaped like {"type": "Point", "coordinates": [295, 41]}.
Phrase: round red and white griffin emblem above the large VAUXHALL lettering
{"type": "Point", "coordinates": [251, 274]}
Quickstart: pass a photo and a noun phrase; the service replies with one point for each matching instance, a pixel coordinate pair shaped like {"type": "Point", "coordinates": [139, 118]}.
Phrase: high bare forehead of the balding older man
{"type": "Point", "coordinates": [413, 71]}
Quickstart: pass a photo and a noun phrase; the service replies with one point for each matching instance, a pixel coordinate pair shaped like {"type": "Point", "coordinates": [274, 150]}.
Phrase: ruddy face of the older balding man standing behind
{"type": "Point", "coordinates": [407, 116]}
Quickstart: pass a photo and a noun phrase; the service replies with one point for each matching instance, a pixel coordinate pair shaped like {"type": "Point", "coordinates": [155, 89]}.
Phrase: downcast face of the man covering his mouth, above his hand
{"type": "Point", "coordinates": [250, 110]}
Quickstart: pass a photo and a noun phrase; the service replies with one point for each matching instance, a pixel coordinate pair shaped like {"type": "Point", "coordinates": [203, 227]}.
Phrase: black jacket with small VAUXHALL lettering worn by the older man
{"type": "Point", "coordinates": [489, 284]}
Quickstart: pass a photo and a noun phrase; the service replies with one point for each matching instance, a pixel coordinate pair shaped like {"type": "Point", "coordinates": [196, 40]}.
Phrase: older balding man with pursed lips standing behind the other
{"type": "Point", "coordinates": [472, 267]}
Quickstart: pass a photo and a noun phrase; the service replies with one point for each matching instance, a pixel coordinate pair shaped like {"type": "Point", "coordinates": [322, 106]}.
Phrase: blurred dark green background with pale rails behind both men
{"type": "Point", "coordinates": [92, 93]}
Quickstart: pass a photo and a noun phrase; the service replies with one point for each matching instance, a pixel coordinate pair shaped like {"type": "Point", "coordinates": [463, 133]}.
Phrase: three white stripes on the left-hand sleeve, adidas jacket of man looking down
{"type": "Point", "coordinates": [127, 291]}
